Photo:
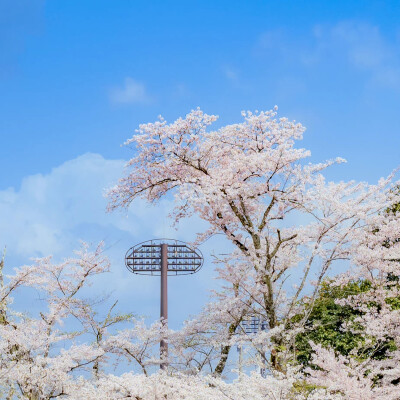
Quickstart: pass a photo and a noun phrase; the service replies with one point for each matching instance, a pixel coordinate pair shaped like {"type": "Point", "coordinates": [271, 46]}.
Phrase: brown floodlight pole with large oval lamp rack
{"type": "Point", "coordinates": [163, 257]}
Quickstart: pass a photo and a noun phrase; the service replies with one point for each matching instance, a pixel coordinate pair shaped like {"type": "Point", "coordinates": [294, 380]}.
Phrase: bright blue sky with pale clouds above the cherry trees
{"type": "Point", "coordinates": [77, 78]}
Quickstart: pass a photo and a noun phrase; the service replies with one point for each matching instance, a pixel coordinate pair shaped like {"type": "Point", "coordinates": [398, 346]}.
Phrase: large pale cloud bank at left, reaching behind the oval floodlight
{"type": "Point", "coordinates": [50, 213]}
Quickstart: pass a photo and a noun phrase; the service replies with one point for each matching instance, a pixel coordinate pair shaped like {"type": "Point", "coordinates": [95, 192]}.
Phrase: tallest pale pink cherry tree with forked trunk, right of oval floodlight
{"type": "Point", "coordinates": [252, 184]}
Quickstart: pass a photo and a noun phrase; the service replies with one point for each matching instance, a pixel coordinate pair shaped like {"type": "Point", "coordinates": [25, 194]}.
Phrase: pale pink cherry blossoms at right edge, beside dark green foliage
{"type": "Point", "coordinates": [362, 375]}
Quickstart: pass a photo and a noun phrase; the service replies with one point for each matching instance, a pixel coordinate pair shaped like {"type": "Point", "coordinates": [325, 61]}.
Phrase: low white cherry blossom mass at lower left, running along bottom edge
{"type": "Point", "coordinates": [47, 357]}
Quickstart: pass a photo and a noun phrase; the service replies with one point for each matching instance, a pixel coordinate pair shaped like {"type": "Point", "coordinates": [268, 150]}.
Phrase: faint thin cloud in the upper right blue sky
{"type": "Point", "coordinates": [360, 46]}
